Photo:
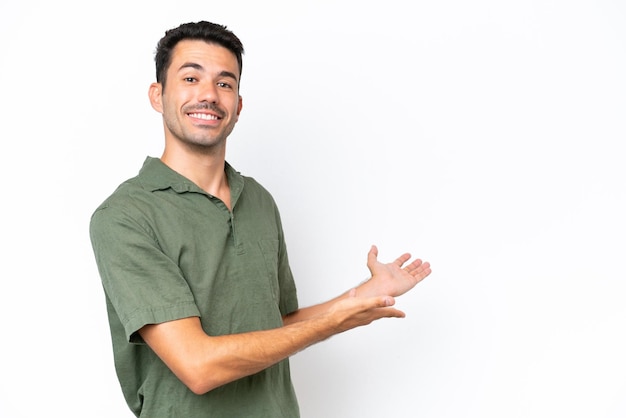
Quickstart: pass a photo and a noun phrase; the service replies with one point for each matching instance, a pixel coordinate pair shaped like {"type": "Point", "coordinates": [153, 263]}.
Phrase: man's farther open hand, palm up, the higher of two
{"type": "Point", "coordinates": [392, 279]}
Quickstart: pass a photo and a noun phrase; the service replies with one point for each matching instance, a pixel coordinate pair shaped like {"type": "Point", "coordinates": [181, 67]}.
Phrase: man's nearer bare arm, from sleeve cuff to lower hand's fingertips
{"type": "Point", "coordinates": [204, 362]}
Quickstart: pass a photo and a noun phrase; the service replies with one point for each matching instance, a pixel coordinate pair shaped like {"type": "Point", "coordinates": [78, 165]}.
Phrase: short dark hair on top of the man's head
{"type": "Point", "coordinates": [211, 33]}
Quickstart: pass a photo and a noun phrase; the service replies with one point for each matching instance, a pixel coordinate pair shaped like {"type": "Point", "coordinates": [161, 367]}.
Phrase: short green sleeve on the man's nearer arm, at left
{"type": "Point", "coordinates": [143, 285]}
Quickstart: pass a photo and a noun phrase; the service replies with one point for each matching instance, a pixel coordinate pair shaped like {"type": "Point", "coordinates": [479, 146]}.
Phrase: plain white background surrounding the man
{"type": "Point", "coordinates": [484, 136]}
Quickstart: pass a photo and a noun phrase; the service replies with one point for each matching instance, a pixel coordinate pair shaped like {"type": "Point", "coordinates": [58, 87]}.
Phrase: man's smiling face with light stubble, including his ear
{"type": "Point", "coordinates": [200, 103]}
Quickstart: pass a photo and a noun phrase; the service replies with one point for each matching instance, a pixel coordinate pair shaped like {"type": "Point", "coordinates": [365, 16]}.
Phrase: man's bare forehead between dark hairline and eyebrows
{"type": "Point", "coordinates": [208, 56]}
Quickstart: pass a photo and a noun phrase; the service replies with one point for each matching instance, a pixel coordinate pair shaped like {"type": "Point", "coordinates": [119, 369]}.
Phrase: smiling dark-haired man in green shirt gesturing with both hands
{"type": "Point", "coordinates": [201, 300]}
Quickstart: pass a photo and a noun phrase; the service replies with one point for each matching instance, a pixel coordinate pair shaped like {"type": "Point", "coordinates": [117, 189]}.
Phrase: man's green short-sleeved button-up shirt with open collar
{"type": "Point", "coordinates": [166, 250]}
